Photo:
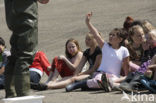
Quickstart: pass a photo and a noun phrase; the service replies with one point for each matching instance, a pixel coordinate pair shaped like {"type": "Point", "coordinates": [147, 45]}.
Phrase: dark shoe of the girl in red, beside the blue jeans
{"type": "Point", "coordinates": [38, 86]}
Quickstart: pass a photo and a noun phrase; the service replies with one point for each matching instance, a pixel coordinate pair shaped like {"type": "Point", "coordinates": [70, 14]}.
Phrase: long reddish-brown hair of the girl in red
{"type": "Point", "coordinates": [68, 55]}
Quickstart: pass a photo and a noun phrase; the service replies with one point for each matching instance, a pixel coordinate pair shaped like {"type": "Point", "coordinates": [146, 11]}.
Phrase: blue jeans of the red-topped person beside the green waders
{"type": "Point", "coordinates": [34, 77]}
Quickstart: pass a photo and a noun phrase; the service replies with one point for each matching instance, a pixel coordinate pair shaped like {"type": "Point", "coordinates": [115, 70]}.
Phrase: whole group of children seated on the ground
{"type": "Point", "coordinates": [127, 62]}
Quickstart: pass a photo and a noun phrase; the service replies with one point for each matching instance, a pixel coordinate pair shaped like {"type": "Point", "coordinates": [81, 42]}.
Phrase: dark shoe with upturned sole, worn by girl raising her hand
{"type": "Point", "coordinates": [104, 83]}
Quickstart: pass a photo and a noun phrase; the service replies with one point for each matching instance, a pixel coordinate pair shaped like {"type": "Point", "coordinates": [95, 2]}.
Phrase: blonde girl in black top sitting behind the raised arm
{"type": "Point", "coordinates": [93, 55]}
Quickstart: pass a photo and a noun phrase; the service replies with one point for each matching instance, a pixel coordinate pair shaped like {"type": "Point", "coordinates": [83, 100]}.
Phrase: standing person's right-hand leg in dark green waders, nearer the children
{"type": "Point", "coordinates": [27, 20]}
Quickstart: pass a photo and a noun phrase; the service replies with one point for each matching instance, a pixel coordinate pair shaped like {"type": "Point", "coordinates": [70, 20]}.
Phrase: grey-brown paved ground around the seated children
{"type": "Point", "coordinates": [63, 19]}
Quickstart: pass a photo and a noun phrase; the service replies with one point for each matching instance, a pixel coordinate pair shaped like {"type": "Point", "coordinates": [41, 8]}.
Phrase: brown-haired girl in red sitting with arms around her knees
{"type": "Point", "coordinates": [63, 66]}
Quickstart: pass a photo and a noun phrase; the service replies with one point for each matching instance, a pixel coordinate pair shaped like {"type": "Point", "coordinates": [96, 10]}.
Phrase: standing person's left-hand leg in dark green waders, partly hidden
{"type": "Point", "coordinates": [9, 84]}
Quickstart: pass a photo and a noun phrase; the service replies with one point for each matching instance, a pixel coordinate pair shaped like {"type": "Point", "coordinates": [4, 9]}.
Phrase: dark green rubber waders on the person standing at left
{"type": "Point", "coordinates": [22, 20]}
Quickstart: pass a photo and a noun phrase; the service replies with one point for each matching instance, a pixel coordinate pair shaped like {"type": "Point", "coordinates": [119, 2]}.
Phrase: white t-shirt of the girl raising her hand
{"type": "Point", "coordinates": [112, 59]}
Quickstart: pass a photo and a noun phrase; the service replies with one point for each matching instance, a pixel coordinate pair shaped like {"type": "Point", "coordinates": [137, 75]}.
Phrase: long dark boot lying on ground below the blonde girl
{"type": "Point", "coordinates": [76, 85]}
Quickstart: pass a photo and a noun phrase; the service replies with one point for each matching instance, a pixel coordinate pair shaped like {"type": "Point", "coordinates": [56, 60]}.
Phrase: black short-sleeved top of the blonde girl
{"type": "Point", "coordinates": [92, 57]}
